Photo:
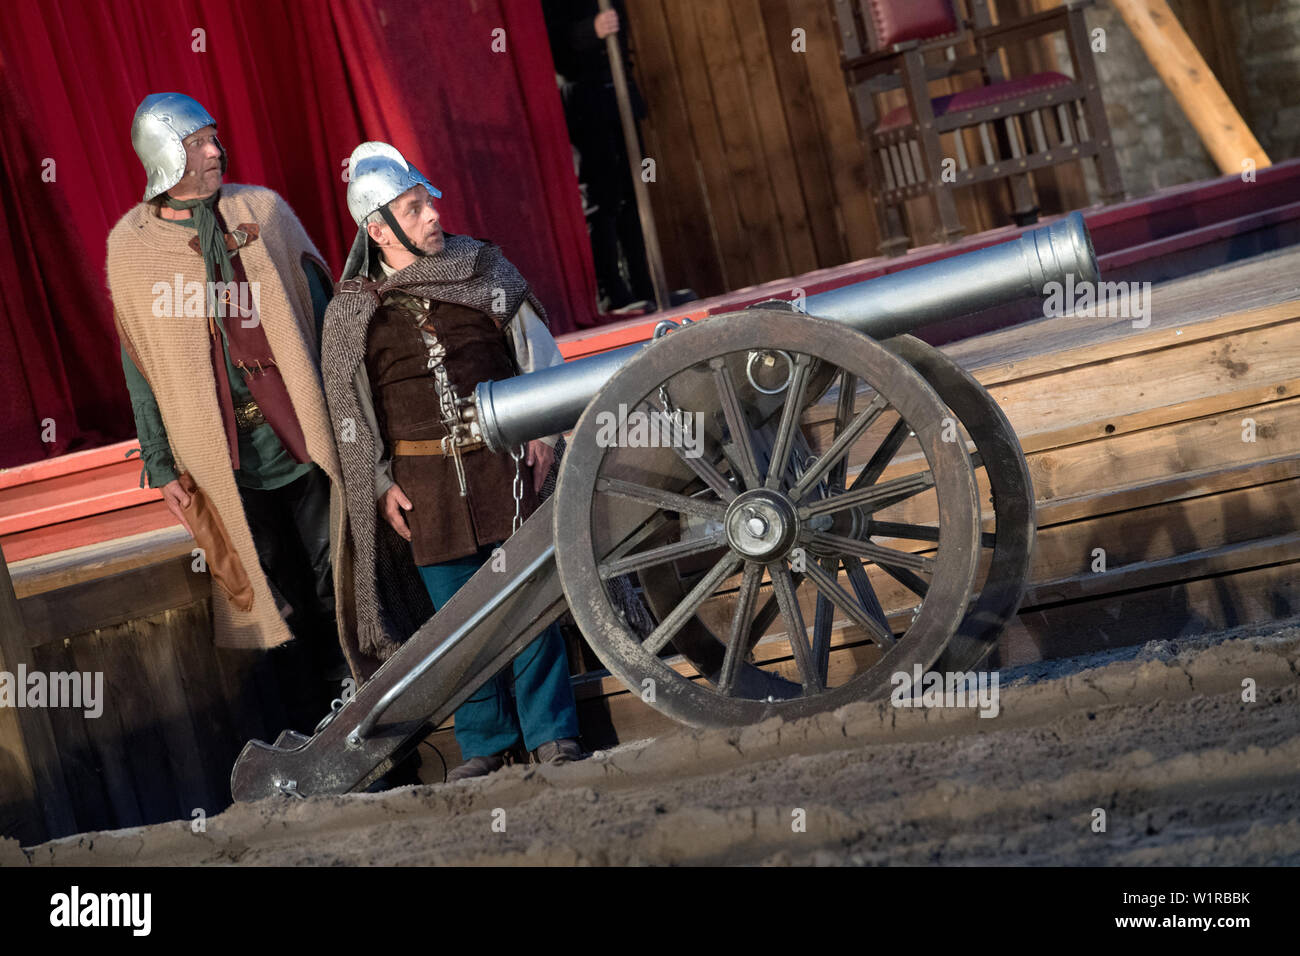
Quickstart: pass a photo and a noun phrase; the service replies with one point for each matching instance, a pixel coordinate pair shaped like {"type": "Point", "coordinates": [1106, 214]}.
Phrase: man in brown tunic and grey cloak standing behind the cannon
{"type": "Point", "coordinates": [422, 318]}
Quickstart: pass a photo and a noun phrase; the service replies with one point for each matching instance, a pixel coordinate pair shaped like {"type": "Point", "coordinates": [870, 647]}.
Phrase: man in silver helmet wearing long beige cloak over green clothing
{"type": "Point", "coordinates": [219, 296]}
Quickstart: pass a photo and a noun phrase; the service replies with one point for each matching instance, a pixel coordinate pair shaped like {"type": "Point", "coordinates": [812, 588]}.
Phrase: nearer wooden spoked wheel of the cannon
{"type": "Point", "coordinates": [710, 462]}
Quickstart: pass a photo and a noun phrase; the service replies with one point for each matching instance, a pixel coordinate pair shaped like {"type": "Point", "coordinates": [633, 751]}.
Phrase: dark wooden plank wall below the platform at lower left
{"type": "Point", "coordinates": [176, 710]}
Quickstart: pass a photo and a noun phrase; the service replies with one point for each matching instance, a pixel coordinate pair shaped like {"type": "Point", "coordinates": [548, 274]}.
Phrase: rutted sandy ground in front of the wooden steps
{"type": "Point", "coordinates": [1158, 737]}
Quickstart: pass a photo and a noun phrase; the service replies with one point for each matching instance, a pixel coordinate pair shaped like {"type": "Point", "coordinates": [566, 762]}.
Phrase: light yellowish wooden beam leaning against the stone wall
{"type": "Point", "coordinates": [1194, 85]}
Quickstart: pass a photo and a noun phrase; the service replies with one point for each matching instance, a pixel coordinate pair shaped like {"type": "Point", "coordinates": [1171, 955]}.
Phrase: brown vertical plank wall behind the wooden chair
{"type": "Point", "coordinates": [760, 168]}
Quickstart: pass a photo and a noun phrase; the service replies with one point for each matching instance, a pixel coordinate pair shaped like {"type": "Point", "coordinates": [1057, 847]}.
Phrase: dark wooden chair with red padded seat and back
{"type": "Point", "coordinates": [1022, 124]}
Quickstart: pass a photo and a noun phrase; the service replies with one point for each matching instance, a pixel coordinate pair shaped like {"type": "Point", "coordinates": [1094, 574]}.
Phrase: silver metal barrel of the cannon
{"type": "Point", "coordinates": [548, 403]}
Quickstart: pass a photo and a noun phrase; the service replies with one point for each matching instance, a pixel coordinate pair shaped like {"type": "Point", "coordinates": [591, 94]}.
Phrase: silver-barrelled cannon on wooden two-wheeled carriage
{"type": "Point", "coordinates": [749, 474]}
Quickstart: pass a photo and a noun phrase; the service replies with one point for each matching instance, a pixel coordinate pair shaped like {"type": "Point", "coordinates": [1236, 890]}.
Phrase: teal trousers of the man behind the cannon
{"type": "Point", "coordinates": [530, 700]}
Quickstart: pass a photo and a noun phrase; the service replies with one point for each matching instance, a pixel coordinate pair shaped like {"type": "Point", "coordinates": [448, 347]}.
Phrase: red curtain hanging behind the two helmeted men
{"type": "Point", "coordinates": [466, 89]}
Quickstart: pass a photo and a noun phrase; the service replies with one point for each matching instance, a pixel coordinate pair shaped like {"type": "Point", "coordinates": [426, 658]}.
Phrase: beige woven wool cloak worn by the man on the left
{"type": "Point", "coordinates": [148, 259]}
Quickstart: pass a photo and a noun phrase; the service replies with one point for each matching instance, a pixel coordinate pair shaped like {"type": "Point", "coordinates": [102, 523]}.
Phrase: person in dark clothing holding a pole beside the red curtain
{"type": "Point", "coordinates": [578, 33]}
